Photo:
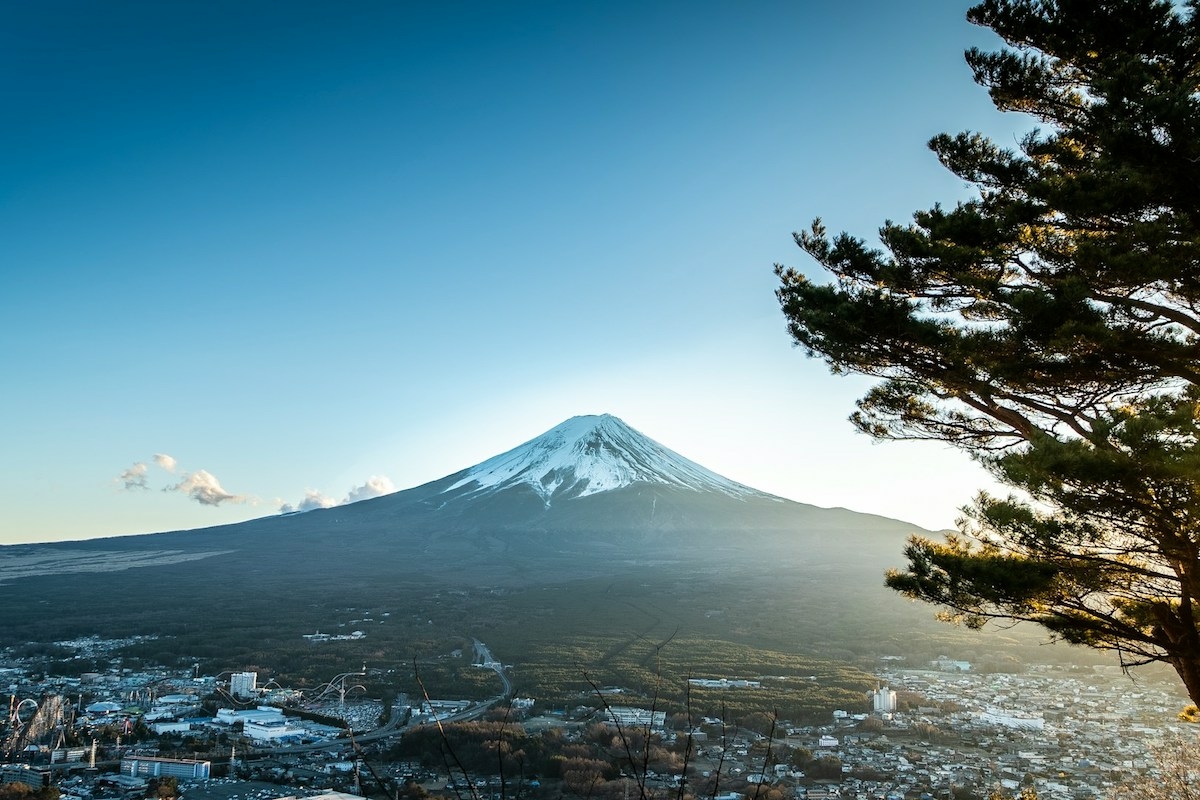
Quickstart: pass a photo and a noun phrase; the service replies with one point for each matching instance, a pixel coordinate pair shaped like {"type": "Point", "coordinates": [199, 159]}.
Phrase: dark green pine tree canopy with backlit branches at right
{"type": "Point", "coordinates": [1049, 327]}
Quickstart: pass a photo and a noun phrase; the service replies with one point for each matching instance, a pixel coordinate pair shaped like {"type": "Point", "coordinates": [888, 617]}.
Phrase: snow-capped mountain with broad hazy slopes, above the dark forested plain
{"type": "Point", "coordinates": [587, 492]}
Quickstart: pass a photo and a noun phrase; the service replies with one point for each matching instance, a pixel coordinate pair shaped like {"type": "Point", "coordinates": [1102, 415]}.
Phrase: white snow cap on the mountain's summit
{"type": "Point", "coordinates": [587, 455]}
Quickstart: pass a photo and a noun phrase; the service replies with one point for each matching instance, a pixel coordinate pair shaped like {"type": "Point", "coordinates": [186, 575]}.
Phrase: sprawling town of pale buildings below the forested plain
{"type": "Point", "coordinates": [932, 731]}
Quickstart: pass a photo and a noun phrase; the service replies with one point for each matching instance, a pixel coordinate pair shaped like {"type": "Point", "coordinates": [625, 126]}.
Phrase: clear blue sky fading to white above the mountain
{"type": "Point", "coordinates": [298, 246]}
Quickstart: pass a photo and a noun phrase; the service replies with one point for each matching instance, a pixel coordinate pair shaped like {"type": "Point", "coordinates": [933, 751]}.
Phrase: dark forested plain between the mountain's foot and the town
{"type": "Point", "coordinates": [817, 643]}
